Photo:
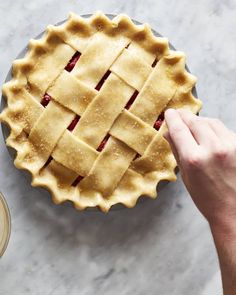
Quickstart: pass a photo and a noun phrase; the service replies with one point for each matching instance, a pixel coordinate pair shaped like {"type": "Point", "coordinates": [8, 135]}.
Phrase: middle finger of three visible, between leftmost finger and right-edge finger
{"type": "Point", "coordinates": [201, 131]}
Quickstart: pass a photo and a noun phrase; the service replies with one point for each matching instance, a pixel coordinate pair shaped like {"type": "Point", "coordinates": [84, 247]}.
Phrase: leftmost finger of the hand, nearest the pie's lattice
{"type": "Point", "coordinates": [180, 134]}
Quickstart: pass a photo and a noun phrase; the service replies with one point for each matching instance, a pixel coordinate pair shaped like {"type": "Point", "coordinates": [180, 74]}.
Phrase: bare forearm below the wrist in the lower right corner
{"type": "Point", "coordinates": [225, 241]}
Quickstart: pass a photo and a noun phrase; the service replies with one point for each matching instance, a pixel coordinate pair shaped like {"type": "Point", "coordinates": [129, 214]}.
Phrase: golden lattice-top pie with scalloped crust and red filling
{"type": "Point", "coordinates": [85, 110]}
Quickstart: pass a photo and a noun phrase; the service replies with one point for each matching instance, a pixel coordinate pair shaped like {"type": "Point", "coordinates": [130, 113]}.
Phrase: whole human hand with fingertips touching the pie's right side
{"type": "Point", "coordinates": [205, 151]}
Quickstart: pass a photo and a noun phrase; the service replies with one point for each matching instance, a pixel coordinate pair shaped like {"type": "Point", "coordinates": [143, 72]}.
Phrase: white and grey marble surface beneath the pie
{"type": "Point", "coordinates": [160, 247]}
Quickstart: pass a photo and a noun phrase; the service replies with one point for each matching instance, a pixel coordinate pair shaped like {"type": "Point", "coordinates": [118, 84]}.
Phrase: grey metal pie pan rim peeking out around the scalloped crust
{"type": "Point", "coordinates": [5, 129]}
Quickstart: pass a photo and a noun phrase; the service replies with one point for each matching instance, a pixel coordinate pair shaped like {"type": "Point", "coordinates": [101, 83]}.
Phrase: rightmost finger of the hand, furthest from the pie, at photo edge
{"type": "Point", "coordinates": [220, 129]}
